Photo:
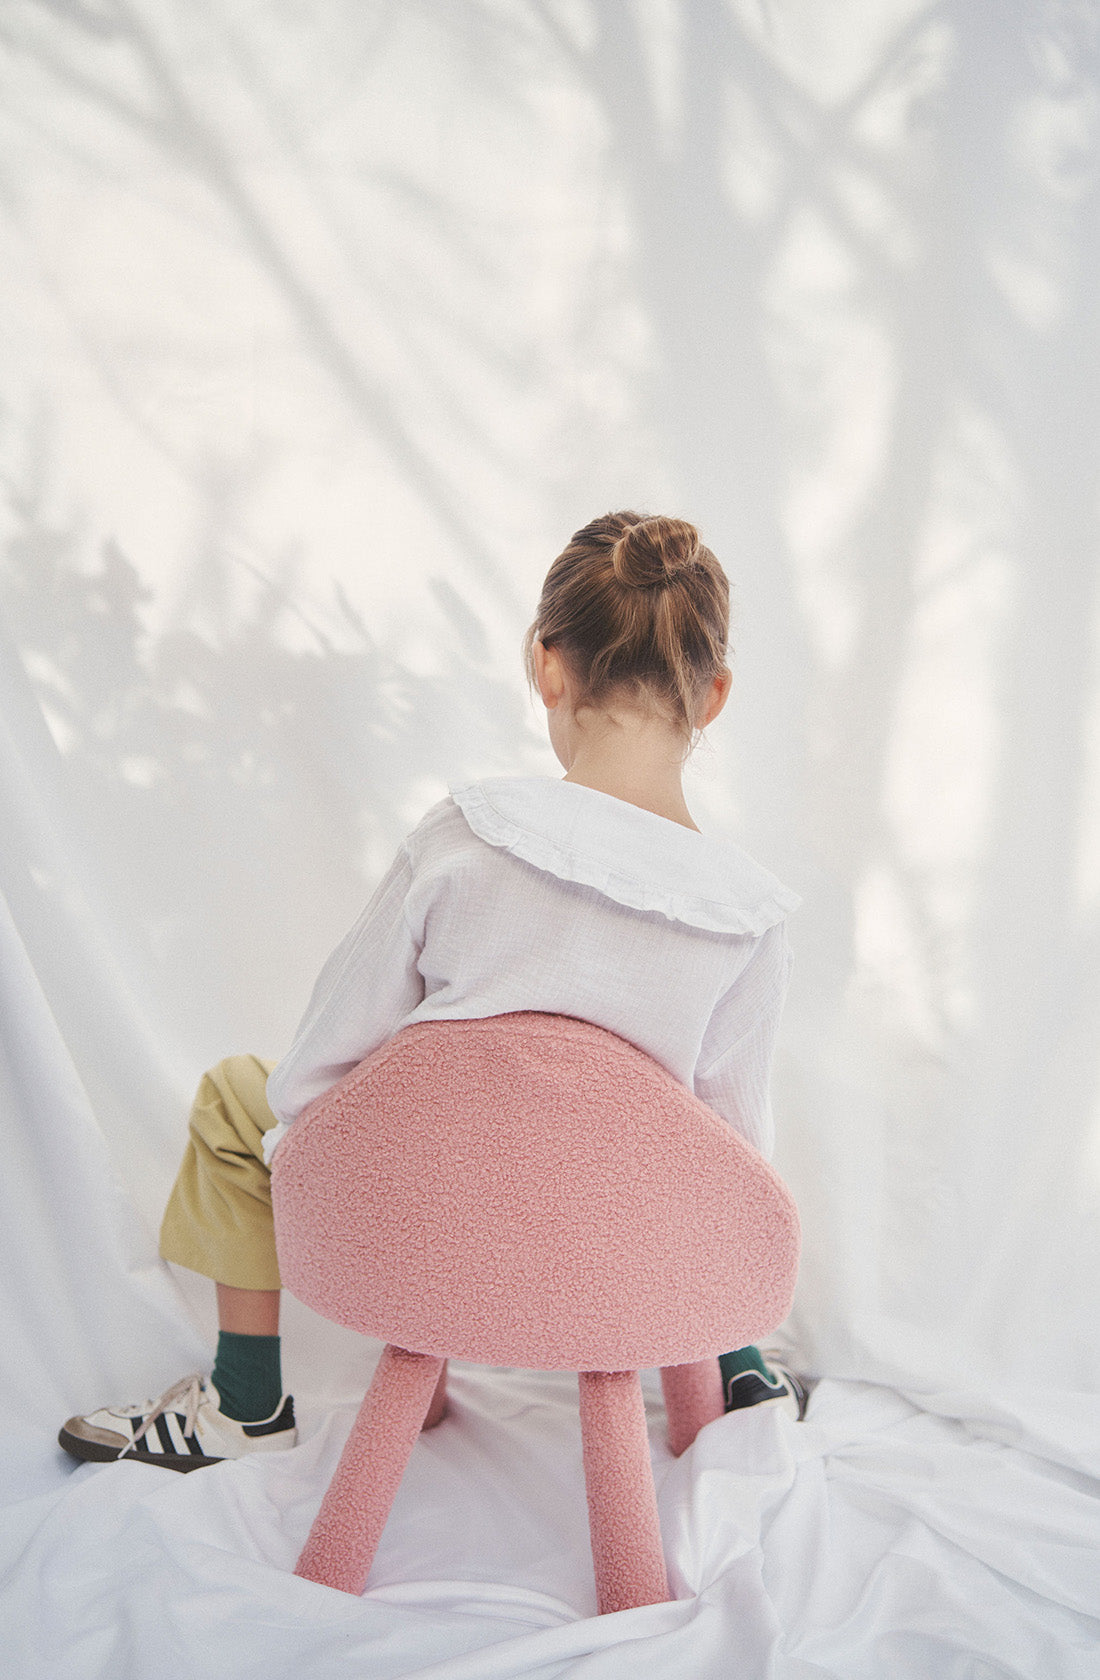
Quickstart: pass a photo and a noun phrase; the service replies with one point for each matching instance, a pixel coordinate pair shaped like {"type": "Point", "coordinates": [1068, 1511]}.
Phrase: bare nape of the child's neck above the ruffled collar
{"type": "Point", "coordinates": [634, 760]}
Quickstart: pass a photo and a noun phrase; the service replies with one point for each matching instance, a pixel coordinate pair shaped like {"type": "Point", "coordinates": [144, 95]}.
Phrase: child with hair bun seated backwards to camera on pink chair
{"type": "Point", "coordinates": [594, 896]}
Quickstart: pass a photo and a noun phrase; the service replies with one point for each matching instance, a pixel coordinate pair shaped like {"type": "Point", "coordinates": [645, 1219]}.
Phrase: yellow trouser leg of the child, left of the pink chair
{"type": "Point", "coordinates": [219, 1217]}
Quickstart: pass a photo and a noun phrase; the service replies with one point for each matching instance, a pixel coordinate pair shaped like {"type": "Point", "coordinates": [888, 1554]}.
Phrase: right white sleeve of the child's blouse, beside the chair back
{"type": "Point", "coordinates": [735, 1064]}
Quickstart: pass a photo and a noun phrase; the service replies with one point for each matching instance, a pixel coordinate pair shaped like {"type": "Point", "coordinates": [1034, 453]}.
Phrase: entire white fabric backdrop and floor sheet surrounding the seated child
{"type": "Point", "coordinates": [325, 328]}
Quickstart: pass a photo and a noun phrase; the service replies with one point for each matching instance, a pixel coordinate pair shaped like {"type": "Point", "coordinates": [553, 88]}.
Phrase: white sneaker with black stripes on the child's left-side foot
{"type": "Point", "coordinates": [182, 1431]}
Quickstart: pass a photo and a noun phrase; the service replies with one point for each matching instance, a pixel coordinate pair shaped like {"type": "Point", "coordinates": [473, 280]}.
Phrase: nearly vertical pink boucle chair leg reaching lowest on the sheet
{"type": "Point", "coordinates": [622, 1503]}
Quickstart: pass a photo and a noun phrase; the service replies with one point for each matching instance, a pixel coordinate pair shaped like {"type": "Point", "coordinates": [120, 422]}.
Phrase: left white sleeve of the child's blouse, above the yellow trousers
{"type": "Point", "coordinates": [362, 995]}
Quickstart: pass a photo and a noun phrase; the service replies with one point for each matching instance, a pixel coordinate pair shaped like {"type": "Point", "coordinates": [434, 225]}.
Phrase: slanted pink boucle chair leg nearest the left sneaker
{"type": "Point", "coordinates": [354, 1513]}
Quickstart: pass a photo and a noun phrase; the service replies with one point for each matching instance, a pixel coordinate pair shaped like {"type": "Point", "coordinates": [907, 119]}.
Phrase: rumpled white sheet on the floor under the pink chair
{"type": "Point", "coordinates": [879, 1538]}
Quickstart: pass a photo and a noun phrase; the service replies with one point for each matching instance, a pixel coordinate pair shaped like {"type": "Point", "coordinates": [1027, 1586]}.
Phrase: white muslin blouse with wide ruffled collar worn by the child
{"type": "Point", "coordinates": [525, 893]}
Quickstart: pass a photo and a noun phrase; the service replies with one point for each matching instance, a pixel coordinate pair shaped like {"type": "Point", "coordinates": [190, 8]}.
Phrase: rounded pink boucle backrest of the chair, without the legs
{"type": "Point", "coordinates": [532, 1190]}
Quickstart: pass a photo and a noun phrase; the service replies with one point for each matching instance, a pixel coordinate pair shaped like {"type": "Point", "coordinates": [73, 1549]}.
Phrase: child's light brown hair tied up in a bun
{"type": "Point", "coordinates": [639, 606]}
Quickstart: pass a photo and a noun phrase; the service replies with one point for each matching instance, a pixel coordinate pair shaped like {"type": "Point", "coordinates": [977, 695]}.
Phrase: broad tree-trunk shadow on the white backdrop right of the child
{"type": "Point", "coordinates": [925, 249]}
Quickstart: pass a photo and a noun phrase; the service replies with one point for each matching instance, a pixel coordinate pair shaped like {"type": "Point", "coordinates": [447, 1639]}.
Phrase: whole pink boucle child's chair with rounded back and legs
{"type": "Point", "coordinates": [528, 1190]}
